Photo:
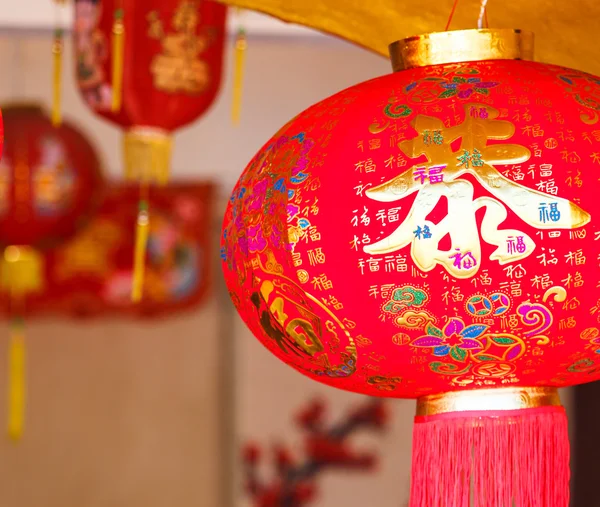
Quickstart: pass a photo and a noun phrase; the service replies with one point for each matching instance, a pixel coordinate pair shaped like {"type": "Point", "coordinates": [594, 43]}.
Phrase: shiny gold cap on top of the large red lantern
{"type": "Point", "coordinates": [461, 46]}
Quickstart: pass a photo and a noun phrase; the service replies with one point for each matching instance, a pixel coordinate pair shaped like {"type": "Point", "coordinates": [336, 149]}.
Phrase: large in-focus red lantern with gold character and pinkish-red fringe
{"type": "Point", "coordinates": [431, 234]}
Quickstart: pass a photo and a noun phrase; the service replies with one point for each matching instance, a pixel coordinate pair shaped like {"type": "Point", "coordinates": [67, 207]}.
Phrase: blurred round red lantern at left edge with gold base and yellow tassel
{"type": "Point", "coordinates": [50, 182]}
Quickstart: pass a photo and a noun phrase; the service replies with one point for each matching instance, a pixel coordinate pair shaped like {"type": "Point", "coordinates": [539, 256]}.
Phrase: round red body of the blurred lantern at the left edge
{"type": "Point", "coordinates": [50, 179]}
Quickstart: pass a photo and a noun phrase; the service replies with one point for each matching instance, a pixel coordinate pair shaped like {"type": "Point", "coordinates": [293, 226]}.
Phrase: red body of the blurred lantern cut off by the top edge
{"type": "Point", "coordinates": [191, 40]}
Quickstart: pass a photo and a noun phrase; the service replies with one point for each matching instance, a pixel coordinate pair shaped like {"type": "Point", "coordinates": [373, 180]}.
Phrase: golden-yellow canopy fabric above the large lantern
{"type": "Point", "coordinates": [565, 30]}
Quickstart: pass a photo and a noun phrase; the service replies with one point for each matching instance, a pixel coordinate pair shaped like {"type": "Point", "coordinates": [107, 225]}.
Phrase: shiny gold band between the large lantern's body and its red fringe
{"type": "Point", "coordinates": [506, 398]}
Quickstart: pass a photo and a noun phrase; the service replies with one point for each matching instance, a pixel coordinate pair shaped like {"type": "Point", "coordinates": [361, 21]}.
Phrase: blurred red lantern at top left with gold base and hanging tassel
{"type": "Point", "coordinates": [149, 66]}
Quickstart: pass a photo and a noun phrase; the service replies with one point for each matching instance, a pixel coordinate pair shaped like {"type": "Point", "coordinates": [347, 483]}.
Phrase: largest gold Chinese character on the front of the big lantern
{"type": "Point", "coordinates": [535, 208]}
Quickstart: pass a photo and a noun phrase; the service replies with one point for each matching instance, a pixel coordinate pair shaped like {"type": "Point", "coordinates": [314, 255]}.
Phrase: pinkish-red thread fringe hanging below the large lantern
{"type": "Point", "coordinates": [514, 458]}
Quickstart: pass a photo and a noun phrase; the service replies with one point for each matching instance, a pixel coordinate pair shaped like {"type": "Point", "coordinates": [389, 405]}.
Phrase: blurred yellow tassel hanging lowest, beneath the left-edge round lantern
{"type": "Point", "coordinates": [16, 381]}
